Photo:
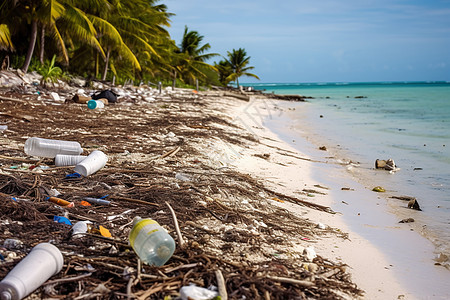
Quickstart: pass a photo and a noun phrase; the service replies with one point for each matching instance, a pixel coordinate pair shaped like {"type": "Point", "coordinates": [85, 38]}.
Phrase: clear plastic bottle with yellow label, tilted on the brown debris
{"type": "Point", "coordinates": [151, 242]}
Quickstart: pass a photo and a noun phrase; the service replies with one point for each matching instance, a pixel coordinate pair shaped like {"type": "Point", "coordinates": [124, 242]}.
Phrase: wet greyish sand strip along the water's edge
{"type": "Point", "coordinates": [372, 220]}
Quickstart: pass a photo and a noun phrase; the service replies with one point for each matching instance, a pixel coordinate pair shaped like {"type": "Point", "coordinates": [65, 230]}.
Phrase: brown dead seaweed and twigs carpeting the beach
{"type": "Point", "coordinates": [225, 216]}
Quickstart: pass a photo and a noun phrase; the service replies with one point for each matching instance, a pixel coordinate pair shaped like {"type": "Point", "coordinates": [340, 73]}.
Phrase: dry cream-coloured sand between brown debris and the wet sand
{"type": "Point", "coordinates": [381, 284]}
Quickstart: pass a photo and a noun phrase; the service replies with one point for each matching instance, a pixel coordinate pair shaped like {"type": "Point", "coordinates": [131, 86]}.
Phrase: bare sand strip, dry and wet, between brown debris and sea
{"type": "Point", "coordinates": [399, 260]}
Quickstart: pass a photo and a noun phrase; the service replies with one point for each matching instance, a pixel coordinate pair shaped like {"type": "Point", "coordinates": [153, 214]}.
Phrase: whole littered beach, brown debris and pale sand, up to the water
{"type": "Point", "coordinates": [248, 203]}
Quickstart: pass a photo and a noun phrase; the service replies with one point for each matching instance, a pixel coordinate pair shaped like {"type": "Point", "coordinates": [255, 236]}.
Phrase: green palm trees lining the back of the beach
{"type": "Point", "coordinates": [102, 39]}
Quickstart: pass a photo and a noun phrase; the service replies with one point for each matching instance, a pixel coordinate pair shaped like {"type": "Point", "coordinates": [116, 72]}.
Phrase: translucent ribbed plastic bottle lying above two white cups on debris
{"type": "Point", "coordinates": [50, 148]}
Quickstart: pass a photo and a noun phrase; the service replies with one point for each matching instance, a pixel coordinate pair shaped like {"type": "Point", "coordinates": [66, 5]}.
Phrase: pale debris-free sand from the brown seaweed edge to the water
{"type": "Point", "coordinates": [381, 277]}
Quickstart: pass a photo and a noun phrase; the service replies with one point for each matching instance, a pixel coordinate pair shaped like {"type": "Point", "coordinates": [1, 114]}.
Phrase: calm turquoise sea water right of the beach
{"type": "Point", "coordinates": [406, 121]}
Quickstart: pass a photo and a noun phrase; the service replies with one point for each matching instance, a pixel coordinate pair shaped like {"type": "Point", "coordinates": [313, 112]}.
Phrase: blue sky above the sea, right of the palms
{"type": "Point", "coordinates": [326, 40]}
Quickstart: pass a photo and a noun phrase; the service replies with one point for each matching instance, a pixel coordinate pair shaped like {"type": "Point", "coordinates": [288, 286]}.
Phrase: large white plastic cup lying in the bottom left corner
{"type": "Point", "coordinates": [44, 261]}
